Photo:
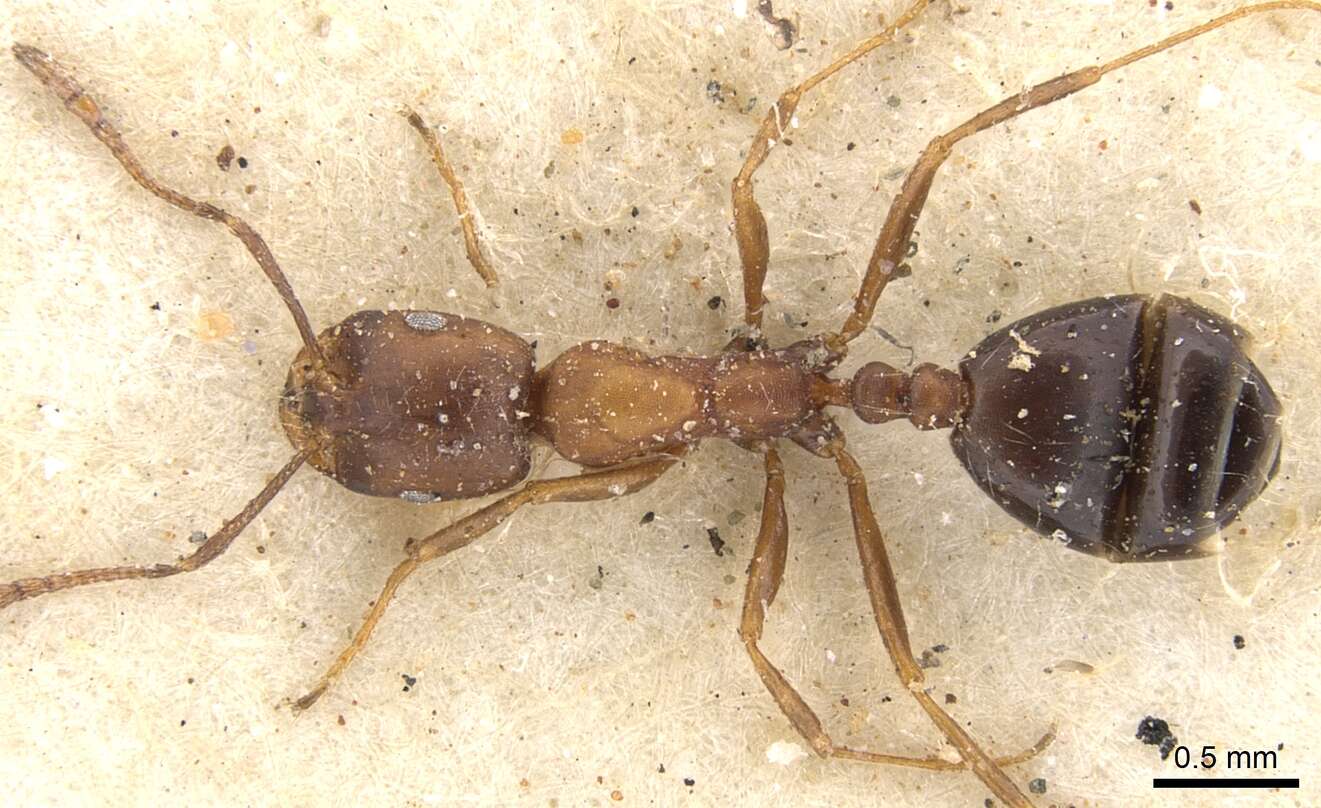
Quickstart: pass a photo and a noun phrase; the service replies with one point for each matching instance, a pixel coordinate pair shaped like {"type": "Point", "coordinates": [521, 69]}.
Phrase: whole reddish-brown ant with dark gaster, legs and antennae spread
{"type": "Point", "coordinates": [429, 406]}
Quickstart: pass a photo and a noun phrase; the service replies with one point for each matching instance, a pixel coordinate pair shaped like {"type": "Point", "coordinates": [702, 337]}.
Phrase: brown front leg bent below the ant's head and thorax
{"type": "Point", "coordinates": [583, 488]}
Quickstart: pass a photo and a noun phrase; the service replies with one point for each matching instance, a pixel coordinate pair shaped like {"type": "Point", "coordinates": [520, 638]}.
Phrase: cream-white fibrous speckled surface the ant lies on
{"type": "Point", "coordinates": [579, 656]}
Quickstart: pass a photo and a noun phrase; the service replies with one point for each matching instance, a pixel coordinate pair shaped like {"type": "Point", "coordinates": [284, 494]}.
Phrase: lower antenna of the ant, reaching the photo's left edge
{"type": "Point", "coordinates": [211, 550]}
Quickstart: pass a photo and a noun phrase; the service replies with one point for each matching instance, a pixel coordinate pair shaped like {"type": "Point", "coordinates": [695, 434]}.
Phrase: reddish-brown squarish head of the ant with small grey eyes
{"type": "Point", "coordinates": [422, 406]}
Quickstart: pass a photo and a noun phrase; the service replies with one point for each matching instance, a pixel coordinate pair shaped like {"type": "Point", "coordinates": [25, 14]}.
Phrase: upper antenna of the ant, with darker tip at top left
{"type": "Point", "coordinates": [57, 80]}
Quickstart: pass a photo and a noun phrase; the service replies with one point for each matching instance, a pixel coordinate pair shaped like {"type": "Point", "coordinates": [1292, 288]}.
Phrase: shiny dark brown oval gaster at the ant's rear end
{"type": "Point", "coordinates": [1127, 427]}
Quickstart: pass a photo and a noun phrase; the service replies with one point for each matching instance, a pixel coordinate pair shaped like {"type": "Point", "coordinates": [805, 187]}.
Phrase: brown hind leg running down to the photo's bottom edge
{"type": "Point", "coordinates": [890, 620]}
